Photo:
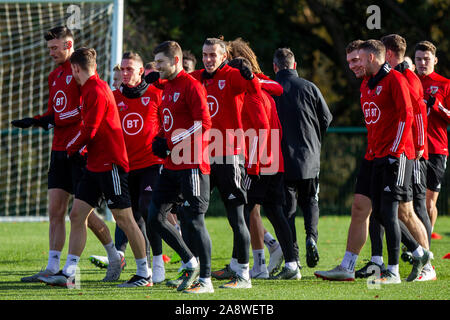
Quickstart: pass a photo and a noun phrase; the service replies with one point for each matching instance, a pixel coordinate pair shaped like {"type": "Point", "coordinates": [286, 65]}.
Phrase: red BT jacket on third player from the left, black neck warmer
{"type": "Point", "coordinates": [140, 125]}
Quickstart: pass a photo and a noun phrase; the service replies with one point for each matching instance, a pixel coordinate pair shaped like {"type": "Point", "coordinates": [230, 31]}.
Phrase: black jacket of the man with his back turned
{"type": "Point", "coordinates": [304, 117]}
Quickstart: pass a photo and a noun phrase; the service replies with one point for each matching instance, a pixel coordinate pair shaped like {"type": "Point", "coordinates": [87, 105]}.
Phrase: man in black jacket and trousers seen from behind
{"type": "Point", "coordinates": [304, 117]}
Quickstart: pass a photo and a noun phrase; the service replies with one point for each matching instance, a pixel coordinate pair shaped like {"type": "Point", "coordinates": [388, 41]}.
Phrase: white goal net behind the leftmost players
{"type": "Point", "coordinates": [24, 68]}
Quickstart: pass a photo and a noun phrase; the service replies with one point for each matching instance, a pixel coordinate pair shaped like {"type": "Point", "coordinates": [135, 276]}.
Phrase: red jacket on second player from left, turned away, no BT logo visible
{"type": "Point", "coordinates": [101, 131]}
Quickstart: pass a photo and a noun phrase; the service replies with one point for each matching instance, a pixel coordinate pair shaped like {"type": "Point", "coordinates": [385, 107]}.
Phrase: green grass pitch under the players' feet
{"type": "Point", "coordinates": [24, 248]}
